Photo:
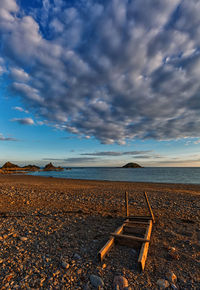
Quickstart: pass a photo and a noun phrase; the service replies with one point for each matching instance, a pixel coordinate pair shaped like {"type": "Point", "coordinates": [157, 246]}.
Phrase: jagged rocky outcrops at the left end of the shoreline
{"type": "Point", "coordinates": [9, 167]}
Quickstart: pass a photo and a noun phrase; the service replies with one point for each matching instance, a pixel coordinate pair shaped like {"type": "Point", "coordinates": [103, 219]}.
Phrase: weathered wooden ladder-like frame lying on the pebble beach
{"type": "Point", "coordinates": [135, 229]}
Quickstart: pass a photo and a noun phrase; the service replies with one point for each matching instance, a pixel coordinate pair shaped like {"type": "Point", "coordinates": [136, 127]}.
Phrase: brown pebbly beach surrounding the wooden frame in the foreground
{"type": "Point", "coordinates": [52, 229]}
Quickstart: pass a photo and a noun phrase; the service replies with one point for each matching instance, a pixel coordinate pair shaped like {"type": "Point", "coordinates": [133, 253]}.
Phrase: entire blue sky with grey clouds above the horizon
{"type": "Point", "coordinates": [100, 83]}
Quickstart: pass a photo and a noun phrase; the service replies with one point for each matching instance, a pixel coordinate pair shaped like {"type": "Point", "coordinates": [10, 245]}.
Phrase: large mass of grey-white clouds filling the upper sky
{"type": "Point", "coordinates": [113, 70]}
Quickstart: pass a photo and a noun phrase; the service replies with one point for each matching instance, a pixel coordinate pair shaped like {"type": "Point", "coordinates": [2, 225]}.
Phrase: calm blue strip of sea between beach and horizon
{"type": "Point", "coordinates": [187, 175]}
